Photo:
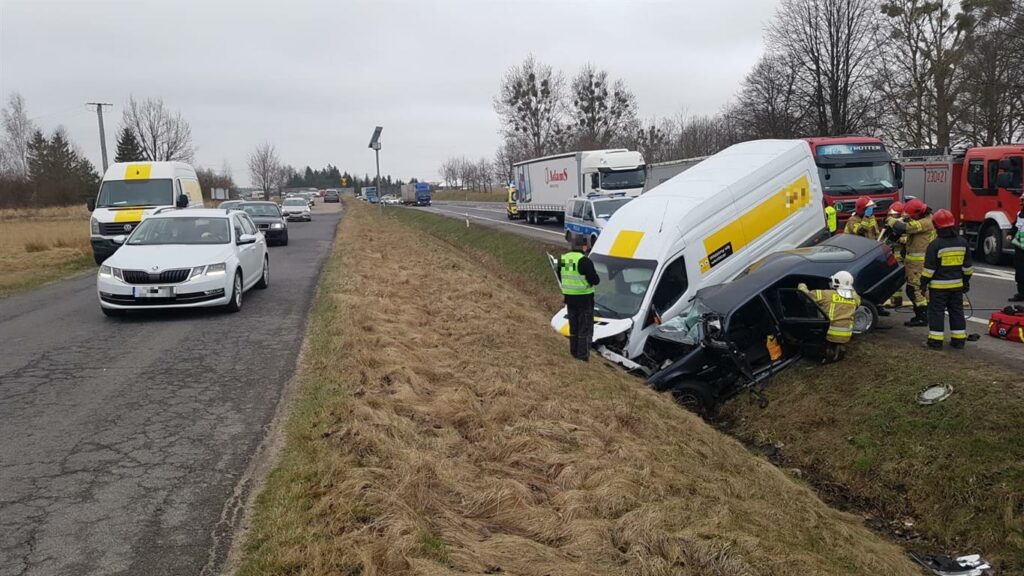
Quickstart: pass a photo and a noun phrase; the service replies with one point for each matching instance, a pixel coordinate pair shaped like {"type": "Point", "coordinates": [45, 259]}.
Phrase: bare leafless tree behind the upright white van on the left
{"type": "Point", "coordinates": [163, 135]}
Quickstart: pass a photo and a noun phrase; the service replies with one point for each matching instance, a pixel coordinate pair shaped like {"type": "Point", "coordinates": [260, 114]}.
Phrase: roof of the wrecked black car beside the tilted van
{"type": "Point", "coordinates": [816, 261]}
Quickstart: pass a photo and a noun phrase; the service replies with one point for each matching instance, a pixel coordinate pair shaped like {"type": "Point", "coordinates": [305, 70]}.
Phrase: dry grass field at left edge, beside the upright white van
{"type": "Point", "coordinates": [38, 245]}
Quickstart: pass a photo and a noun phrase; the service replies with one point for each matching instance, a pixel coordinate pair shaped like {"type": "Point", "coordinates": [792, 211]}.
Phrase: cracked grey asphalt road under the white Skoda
{"type": "Point", "coordinates": [123, 441]}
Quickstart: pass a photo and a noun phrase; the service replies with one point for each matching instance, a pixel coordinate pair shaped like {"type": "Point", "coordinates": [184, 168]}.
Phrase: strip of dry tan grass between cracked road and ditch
{"type": "Point", "coordinates": [441, 429]}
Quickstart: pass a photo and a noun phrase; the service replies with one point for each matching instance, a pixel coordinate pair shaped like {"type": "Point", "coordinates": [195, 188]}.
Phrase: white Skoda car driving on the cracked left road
{"type": "Point", "coordinates": [185, 259]}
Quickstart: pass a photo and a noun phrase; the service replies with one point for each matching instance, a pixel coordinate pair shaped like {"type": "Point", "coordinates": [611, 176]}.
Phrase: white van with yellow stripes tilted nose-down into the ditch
{"type": "Point", "coordinates": [701, 228]}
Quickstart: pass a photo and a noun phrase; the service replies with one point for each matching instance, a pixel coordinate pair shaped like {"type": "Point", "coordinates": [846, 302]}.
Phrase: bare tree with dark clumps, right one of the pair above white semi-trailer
{"type": "Point", "coordinates": [603, 112]}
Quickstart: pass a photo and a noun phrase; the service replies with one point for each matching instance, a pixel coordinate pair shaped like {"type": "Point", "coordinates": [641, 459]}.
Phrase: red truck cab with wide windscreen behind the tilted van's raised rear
{"type": "Point", "coordinates": [856, 167]}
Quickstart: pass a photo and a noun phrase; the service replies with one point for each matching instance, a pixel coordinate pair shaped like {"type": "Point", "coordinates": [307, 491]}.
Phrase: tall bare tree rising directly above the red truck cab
{"type": "Point", "coordinates": [832, 46]}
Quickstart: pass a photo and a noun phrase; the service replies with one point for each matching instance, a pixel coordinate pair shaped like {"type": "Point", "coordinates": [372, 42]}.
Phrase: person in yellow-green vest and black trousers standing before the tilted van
{"type": "Point", "coordinates": [578, 278]}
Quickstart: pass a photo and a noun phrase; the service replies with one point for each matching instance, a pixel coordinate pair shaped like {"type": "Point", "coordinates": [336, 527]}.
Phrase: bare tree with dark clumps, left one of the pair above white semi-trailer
{"type": "Point", "coordinates": [531, 104]}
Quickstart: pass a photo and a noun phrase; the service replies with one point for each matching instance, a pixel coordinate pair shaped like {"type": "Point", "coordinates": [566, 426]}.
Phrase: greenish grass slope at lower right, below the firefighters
{"type": "Point", "coordinates": [955, 469]}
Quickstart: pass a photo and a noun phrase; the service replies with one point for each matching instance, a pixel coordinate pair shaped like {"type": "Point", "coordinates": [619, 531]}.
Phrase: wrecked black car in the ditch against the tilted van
{"type": "Point", "coordinates": [722, 347]}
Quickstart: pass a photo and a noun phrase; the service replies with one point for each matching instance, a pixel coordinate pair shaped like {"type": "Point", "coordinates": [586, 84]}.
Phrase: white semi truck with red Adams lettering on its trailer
{"type": "Point", "coordinates": [544, 186]}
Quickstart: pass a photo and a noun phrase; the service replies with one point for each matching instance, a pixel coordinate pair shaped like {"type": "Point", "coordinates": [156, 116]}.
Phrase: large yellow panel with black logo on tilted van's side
{"type": "Point", "coordinates": [756, 222]}
